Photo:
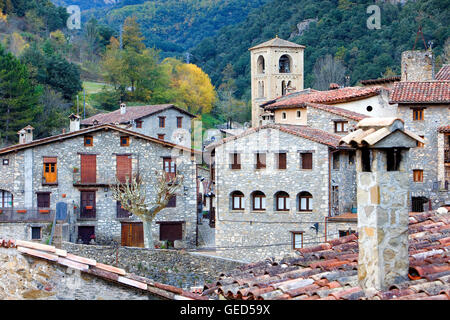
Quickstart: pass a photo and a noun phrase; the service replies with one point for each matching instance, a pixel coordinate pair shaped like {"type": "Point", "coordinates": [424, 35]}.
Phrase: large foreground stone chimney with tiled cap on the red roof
{"type": "Point", "coordinates": [382, 168]}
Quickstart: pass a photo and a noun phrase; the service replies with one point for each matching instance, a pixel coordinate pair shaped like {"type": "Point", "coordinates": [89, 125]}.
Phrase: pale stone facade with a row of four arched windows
{"type": "Point", "coordinates": [256, 234]}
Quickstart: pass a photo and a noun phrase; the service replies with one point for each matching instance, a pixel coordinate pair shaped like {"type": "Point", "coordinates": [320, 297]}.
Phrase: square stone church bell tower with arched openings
{"type": "Point", "coordinates": [276, 69]}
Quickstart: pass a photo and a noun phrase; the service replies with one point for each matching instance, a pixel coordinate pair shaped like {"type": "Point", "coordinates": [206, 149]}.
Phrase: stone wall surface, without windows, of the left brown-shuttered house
{"type": "Point", "coordinates": [23, 178]}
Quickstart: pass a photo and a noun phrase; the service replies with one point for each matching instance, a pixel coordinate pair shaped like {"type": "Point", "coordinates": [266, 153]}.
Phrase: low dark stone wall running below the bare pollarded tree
{"type": "Point", "coordinates": [175, 267]}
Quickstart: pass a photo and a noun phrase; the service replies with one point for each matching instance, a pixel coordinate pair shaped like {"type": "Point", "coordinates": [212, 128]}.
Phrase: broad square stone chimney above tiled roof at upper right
{"type": "Point", "coordinates": [417, 65]}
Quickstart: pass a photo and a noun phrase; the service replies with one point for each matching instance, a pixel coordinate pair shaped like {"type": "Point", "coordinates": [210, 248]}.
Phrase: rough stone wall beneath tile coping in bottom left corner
{"type": "Point", "coordinates": [25, 278]}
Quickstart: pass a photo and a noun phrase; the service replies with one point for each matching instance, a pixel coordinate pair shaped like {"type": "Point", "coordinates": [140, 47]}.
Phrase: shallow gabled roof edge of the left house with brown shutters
{"type": "Point", "coordinates": [91, 129]}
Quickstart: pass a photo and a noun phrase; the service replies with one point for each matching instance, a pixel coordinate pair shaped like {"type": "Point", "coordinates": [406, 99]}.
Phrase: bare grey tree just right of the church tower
{"type": "Point", "coordinates": [328, 70]}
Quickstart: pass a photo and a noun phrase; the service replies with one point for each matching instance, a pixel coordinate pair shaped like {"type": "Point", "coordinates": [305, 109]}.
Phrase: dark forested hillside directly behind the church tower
{"type": "Point", "coordinates": [339, 28]}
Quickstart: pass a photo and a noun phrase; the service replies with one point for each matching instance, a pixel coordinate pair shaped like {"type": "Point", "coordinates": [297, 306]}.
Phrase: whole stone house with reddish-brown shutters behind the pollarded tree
{"type": "Point", "coordinates": [77, 168]}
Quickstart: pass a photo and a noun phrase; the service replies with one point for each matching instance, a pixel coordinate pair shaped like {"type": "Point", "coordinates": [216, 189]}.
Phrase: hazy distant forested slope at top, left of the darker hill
{"type": "Point", "coordinates": [174, 26]}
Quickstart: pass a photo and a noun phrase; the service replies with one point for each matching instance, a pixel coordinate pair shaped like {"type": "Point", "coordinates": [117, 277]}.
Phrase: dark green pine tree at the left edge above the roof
{"type": "Point", "coordinates": [18, 97]}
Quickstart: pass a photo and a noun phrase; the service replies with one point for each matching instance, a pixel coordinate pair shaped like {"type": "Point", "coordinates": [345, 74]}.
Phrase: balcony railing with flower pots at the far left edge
{"type": "Point", "coordinates": [26, 215]}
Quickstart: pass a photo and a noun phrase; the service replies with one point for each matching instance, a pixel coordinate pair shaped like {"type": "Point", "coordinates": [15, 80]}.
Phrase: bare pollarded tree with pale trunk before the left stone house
{"type": "Point", "coordinates": [132, 197]}
